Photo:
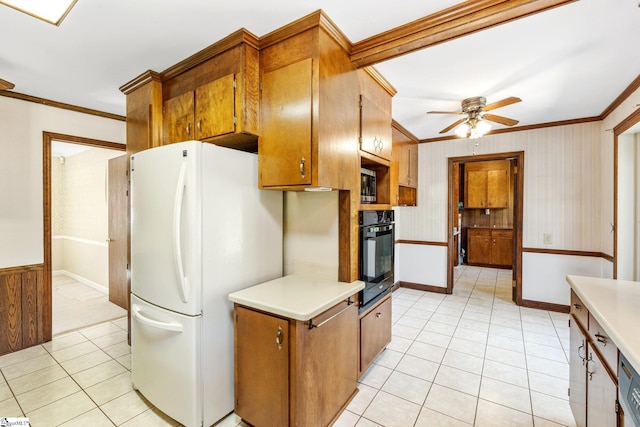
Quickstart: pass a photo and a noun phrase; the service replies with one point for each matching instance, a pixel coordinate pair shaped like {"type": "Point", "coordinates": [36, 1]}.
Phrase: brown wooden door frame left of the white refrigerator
{"type": "Point", "coordinates": [47, 138]}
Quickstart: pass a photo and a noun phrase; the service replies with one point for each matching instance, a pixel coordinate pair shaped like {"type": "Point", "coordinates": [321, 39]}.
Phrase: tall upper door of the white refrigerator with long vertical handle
{"type": "Point", "coordinates": [166, 247]}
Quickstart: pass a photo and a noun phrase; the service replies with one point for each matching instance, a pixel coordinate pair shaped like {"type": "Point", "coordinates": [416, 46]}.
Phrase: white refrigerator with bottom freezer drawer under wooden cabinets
{"type": "Point", "coordinates": [200, 229]}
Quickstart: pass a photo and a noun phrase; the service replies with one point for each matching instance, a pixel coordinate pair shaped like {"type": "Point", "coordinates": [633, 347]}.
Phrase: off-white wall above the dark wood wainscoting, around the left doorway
{"type": "Point", "coordinates": [21, 210]}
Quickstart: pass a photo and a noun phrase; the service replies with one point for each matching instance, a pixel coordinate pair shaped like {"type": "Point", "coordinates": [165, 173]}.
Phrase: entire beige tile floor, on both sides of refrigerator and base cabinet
{"type": "Point", "coordinates": [471, 358]}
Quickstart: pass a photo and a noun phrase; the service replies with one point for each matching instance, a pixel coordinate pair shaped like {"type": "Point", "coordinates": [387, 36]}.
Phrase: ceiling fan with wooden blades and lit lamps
{"type": "Point", "coordinates": [474, 125]}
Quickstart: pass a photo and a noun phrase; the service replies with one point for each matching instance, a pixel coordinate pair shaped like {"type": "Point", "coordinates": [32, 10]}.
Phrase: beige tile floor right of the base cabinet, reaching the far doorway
{"type": "Point", "coordinates": [472, 358]}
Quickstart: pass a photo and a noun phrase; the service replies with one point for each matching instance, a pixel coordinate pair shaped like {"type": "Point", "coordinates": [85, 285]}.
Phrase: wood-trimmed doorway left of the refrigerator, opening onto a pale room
{"type": "Point", "coordinates": [82, 287]}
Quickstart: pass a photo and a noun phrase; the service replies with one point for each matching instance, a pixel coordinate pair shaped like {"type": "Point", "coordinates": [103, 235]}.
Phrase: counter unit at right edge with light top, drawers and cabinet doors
{"type": "Point", "coordinates": [603, 327]}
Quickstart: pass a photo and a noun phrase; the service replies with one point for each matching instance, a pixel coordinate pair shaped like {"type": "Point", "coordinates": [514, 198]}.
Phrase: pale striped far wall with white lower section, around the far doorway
{"type": "Point", "coordinates": [563, 196]}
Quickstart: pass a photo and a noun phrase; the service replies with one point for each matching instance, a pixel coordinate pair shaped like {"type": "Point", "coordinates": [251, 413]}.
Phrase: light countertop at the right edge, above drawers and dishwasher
{"type": "Point", "coordinates": [615, 304]}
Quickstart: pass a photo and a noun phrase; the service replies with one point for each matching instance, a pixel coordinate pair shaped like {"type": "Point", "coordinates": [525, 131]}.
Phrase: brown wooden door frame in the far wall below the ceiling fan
{"type": "Point", "coordinates": [452, 220]}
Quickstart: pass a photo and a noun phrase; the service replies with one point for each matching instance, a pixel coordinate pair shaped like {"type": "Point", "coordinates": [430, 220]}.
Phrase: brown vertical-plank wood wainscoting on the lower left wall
{"type": "Point", "coordinates": [23, 308]}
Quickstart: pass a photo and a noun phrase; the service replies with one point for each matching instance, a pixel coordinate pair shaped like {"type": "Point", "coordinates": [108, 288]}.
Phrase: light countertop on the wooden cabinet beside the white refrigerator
{"type": "Point", "coordinates": [296, 297]}
